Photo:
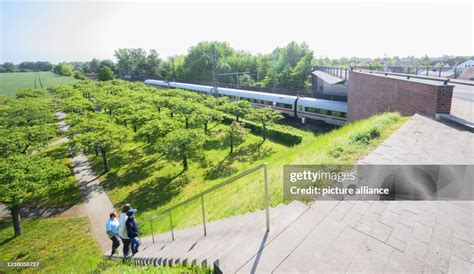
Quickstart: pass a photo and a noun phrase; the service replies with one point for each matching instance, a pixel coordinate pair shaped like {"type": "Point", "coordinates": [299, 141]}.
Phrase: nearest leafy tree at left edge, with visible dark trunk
{"type": "Point", "coordinates": [21, 176]}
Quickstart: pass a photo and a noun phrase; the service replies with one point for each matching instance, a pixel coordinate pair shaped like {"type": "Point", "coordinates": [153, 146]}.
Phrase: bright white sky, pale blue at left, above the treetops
{"type": "Point", "coordinates": [59, 31]}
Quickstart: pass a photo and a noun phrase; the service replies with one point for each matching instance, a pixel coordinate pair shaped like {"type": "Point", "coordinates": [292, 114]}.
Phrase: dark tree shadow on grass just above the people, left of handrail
{"type": "Point", "coordinates": [157, 192]}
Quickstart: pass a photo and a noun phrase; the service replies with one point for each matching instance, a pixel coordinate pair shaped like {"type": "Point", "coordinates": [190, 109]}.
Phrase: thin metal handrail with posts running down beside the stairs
{"type": "Point", "coordinates": [201, 195]}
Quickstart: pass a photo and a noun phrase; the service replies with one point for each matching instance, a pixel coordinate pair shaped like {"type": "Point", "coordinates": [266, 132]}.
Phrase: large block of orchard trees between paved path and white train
{"type": "Point", "coordinates": [174, 122]}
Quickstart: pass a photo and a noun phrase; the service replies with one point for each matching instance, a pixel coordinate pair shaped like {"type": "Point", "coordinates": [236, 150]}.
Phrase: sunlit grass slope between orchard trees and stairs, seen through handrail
{"type": "Point", "coordinates": [143, 178]}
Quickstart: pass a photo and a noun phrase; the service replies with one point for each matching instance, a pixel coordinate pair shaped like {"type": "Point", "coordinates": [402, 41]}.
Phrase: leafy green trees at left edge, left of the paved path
{"type": "Point", "coordinates": [27, 125]}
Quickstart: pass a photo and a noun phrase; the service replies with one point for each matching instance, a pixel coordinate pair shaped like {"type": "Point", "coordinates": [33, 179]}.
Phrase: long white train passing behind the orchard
{"type": "Point", "coordinates": [331, 112]}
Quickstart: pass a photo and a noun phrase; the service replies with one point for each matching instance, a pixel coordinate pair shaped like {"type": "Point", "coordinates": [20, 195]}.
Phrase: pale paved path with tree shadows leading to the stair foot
{"type": "Point", "coordinates": [97, 205]}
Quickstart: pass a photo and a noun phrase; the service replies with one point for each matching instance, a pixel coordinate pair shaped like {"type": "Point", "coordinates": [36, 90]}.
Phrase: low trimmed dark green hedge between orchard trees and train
{"type": "Point", "coordinates": [276, 135]}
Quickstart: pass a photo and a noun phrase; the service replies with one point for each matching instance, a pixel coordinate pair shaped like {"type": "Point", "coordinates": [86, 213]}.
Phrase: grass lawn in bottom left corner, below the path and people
{"type": "Point", "coordinates": [64, 245]}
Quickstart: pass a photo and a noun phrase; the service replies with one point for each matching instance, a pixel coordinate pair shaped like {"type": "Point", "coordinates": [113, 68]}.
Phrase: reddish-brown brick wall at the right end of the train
{"type": "Point", "coordinates": [369, 94]}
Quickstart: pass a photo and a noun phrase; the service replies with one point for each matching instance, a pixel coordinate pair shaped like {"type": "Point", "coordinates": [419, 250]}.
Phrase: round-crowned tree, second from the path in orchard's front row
{"type": "Point", "coordinates": [182, 145]}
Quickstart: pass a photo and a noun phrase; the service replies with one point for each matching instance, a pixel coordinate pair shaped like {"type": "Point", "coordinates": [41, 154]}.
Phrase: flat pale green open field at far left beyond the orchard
{"type": "Point", "coordinates": [11, 82]}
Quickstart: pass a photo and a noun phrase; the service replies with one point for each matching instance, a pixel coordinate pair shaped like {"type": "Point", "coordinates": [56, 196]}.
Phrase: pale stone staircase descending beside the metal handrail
{"type": "Point", "coordinates": [230, 246]}
